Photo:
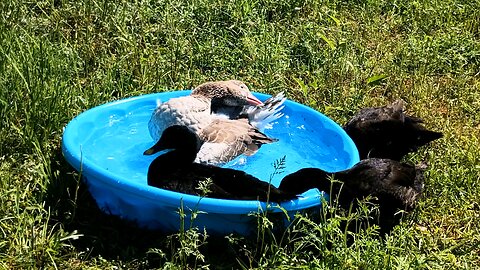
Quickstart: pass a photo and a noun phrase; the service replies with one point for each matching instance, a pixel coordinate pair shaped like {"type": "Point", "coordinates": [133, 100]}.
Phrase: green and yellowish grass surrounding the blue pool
{"type": "Point", "coordinates": [59, 58]}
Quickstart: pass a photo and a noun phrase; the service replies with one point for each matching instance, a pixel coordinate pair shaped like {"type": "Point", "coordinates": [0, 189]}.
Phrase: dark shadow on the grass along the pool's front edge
{"type": "Point", "coordinates": [115, 239]}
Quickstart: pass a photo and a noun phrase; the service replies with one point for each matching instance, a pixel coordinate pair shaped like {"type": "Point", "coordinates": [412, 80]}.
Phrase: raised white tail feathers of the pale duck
{"type": "Point", "coordinates": [262, 117]}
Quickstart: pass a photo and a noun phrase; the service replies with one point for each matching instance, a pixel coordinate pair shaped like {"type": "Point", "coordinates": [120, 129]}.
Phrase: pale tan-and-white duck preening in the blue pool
{"type": "Point", "coordinates": [225, 115]}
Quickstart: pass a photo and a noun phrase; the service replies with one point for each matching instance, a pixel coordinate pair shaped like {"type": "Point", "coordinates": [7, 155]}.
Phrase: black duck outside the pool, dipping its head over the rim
{"type": "Point", "coordinates": [395, 186]}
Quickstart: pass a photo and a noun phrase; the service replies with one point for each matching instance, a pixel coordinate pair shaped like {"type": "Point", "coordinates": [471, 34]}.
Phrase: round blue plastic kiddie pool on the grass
{"type": "Point", "coordinates": [106, 145]}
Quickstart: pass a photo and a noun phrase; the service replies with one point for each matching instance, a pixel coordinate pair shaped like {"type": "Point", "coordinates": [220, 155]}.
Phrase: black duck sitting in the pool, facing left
{"type": "Point", "coordinates": [176, 171]}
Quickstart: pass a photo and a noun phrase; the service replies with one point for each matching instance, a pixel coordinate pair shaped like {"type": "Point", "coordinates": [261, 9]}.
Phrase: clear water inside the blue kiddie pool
{"type": "Point", "coordinates": [122, 136]}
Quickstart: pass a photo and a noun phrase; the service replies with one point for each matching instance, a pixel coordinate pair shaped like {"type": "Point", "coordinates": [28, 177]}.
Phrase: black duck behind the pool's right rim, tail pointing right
{"type": "Point", "coordinates": [387, 132]}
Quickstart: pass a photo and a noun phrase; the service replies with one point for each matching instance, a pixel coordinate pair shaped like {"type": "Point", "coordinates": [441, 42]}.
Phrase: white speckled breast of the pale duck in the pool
{"type": "Point", "coordinates": [193, 112]}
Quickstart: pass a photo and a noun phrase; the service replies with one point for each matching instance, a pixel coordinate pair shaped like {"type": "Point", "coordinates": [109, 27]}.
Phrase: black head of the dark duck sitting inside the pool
{"type": "Point", "coordinates": [176, 137]}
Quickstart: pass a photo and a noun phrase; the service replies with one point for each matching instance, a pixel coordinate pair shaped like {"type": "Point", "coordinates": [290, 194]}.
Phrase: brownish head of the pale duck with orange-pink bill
{"type": "Point", "coordinates": [227, 93]}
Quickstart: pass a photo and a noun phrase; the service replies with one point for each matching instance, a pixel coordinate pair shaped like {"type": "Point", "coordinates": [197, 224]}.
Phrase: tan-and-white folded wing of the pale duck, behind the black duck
{"type": "Point", "coordinates": [226, 139]}
